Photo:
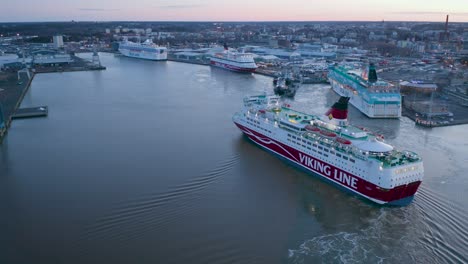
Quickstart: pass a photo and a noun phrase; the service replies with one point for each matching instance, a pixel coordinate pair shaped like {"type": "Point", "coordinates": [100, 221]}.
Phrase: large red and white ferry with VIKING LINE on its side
{"type": "Point", "coordinates": [351, 157]}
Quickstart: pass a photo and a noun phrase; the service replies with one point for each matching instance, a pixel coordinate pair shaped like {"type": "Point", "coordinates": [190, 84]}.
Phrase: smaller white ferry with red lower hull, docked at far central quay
{"type": "Point", "coordinates": [235, 61]}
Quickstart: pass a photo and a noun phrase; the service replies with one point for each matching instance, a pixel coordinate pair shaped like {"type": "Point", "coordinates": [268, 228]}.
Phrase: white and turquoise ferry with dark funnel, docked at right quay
{"type": "Point", "coordinates": [375, 98]}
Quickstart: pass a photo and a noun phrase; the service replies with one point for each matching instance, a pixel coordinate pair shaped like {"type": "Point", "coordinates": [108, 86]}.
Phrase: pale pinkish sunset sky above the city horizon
{"type": "Point", "coordinates": [233, 10]}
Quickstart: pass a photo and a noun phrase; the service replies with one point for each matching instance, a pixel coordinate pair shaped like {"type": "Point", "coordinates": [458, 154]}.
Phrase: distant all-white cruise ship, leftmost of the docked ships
{"type": "Point", "coordinates": [145, 50]}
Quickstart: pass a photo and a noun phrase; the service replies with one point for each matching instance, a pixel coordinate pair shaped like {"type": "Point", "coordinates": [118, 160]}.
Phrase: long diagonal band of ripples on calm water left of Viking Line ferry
{"type": "Point", "coordinates": [136, 217]}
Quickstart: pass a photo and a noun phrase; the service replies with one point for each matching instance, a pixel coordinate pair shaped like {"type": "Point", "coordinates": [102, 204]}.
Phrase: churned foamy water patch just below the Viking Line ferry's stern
{"type": "Point", "coordinates": [386, 237]}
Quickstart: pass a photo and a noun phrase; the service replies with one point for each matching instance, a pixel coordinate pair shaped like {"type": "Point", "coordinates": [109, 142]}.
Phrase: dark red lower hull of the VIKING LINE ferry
{"type": "Point", "coordinates": [402, 195]}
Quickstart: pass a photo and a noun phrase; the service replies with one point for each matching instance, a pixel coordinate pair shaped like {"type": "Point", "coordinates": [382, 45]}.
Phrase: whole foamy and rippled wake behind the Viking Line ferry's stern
{"type": "Point", "coordinates": [392, 235]}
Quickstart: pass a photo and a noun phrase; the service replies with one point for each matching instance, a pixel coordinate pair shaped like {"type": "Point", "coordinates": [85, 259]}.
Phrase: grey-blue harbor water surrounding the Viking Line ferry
{"type": "Point", "coordinates": [141, 163]}
